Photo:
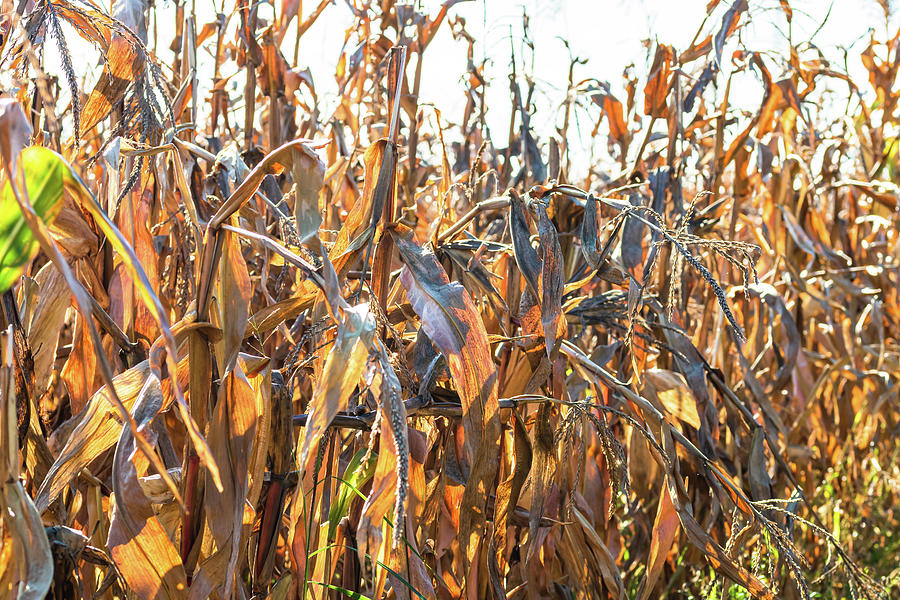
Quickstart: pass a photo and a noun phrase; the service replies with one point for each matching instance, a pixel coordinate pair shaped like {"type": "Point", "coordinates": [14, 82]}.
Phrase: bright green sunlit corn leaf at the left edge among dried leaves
{"type": "Point", "coordinates": [44, 178]}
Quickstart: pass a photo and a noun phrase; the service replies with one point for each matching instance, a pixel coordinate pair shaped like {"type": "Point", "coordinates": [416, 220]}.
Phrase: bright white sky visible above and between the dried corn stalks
{"type": "Point", "coordinates": [610, 34]}
